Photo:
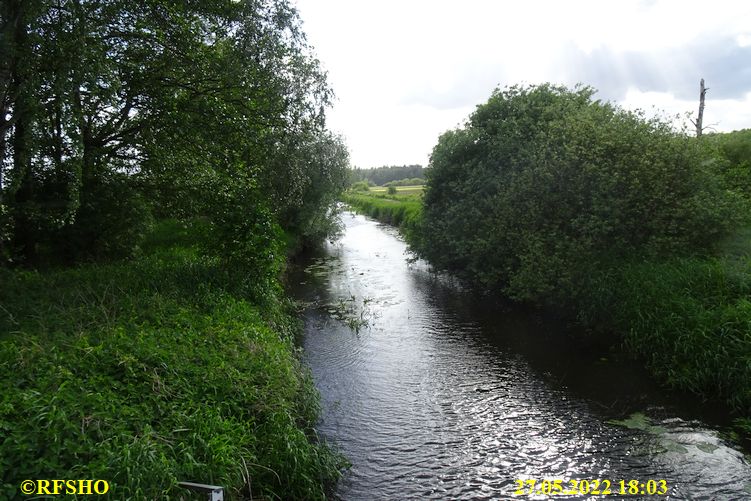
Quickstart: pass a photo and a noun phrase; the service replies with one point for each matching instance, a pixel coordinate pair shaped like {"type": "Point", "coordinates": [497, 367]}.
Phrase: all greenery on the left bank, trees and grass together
{"type": "Point", "coordinates": [178, 364]}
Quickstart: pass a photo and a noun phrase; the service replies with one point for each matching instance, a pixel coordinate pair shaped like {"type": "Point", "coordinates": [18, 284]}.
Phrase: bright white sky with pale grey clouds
{"type": "Point", "coordinates": [405, 71]}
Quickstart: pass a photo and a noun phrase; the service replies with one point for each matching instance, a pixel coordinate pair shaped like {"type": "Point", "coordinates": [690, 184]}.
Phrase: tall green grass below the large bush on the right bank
{"type": "Point", "coordinates": [688, 319]}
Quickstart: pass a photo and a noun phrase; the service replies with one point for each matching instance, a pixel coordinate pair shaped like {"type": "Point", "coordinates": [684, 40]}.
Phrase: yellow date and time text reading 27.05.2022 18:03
{"type": "Point", "coordinates": [595, 487]}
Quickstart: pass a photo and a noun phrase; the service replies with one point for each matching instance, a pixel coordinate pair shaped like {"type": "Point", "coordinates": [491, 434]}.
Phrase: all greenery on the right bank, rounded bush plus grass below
{"type": "Point", "coordinates": [549, 196]}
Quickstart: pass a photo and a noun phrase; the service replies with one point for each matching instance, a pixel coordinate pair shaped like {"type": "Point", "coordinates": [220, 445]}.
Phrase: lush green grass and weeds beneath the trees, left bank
{"type": "Point", "coordinates": [153, 371]}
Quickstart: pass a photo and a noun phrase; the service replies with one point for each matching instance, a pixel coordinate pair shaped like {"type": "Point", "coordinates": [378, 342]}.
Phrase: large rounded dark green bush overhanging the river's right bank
{"type": "Point", "coordinates": [545, 187]}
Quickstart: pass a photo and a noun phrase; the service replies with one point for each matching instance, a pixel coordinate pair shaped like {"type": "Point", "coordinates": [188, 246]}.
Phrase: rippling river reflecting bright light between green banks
{"type": "Point", "coordinates": [434, 393]}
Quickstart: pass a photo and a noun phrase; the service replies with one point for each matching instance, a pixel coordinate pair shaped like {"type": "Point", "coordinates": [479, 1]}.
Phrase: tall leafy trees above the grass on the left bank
{"type": "Point", "coordinates": [115, 110]}
